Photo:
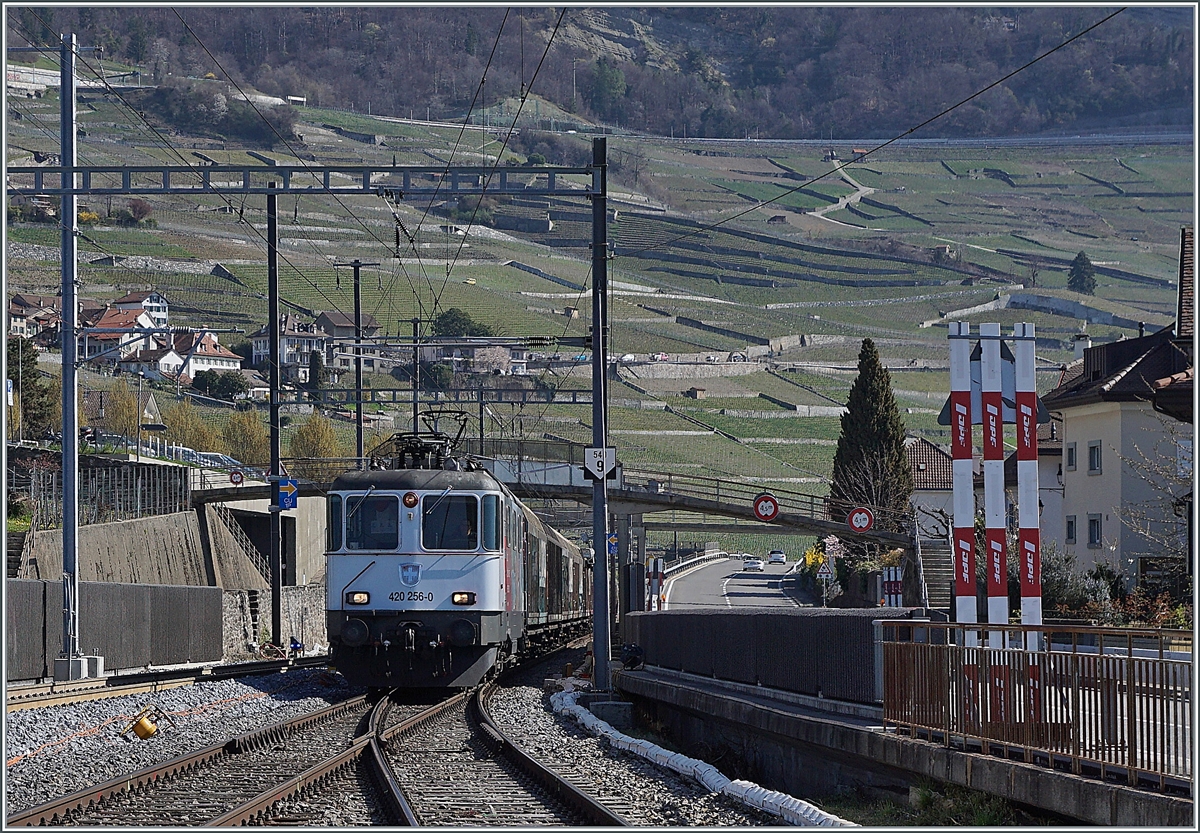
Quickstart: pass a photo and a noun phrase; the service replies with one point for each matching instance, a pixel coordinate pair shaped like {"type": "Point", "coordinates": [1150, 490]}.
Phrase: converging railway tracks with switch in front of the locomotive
{"type": "Point", "coordinates": [395, 764]}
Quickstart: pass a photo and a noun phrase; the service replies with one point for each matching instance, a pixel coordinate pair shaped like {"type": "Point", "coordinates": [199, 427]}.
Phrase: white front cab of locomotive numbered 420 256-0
{"type": "Point", "coordinates": [423, 578]}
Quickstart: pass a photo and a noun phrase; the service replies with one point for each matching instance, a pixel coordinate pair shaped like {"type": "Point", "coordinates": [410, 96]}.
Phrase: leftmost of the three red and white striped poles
{"type": "Point", "coordinates": [967, 607]}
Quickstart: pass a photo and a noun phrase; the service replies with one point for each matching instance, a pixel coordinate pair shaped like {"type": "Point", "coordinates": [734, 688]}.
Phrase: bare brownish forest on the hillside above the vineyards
{"type": "Point", "coordinates": [772, 73]}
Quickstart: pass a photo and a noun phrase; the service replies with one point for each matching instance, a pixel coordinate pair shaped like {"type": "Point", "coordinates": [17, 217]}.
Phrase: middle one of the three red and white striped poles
{"type": "Point", "coordinates": [995, 540]}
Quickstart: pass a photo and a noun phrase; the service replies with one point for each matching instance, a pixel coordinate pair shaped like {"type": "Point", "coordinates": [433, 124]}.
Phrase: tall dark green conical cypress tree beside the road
{"type": "Point", "coordinates": [871, 468]}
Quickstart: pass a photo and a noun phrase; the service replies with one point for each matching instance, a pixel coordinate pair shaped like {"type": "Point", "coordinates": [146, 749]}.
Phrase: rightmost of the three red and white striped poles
{"type": "Point", "coordinates": [1029, 542]}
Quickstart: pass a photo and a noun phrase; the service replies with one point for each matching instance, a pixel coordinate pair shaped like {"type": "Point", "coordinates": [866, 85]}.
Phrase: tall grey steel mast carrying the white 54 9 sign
{"type": "Point", "coordinates": [602, 616]}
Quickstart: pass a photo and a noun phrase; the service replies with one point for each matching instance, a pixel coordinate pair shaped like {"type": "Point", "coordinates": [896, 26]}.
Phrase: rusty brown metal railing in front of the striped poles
{"type": "Point", "coordinates": [1115, 703]}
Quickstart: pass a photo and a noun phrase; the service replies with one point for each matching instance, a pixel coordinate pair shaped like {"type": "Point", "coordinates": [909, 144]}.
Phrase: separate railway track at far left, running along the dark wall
{"type": "Point", "coordinates": [80, 691]}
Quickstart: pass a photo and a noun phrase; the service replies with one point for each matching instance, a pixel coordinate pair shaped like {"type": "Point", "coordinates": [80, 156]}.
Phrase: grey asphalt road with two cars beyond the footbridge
{"type": "Point", "coordinates": [724, 584]}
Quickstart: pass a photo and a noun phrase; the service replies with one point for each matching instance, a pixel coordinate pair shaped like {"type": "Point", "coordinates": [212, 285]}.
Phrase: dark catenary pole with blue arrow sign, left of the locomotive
{"type": "Point", "coordinates": [274, 361]}
